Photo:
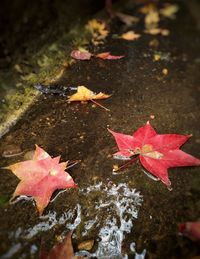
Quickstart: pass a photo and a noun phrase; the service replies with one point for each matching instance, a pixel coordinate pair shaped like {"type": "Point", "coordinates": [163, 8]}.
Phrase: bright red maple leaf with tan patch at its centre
{"type": "Point", "coordinates": [156, 152]}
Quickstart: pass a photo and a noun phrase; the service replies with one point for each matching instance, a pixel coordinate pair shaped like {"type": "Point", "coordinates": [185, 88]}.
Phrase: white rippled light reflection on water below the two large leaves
{"type": "Point", "coordinates": [119, 206]}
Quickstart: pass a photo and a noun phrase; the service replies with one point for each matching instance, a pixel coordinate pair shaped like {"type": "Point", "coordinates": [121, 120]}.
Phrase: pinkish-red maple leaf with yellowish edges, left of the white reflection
{"type": "Point", "coordinates": [40, 177]}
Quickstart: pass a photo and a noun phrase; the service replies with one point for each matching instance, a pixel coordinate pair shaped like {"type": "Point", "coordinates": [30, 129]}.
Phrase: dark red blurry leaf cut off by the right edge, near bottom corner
{"type": "Point", "coordinates": [190, 230]}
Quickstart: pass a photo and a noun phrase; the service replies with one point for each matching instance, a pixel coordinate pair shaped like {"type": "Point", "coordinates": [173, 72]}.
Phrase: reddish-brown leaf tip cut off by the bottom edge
{"type": "Point", "coordinates": [62, 250]}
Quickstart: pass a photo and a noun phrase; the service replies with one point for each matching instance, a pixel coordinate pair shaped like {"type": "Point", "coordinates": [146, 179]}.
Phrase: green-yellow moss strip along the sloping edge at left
{"type": "Point", "coordinates": [45, 66]}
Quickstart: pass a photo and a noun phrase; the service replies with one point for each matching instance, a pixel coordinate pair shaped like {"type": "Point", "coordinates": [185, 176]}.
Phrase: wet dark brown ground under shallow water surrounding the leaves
{"type": "Point", "coordinates": [79, 131]}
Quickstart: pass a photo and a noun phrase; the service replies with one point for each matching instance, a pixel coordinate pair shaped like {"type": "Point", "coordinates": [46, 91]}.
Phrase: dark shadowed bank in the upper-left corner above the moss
{"type": "Point", "coordinates": [24, 25]}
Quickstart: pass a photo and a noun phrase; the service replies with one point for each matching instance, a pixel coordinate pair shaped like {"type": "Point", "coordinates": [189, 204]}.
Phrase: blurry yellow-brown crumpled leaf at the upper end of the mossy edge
{"type": "Point", "coordinates": [98, 30]}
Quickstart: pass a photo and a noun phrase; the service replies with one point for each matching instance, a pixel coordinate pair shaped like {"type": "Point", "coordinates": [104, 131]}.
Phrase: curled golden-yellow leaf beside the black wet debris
{"type": "Point", "coordinates": [84, 94]}
